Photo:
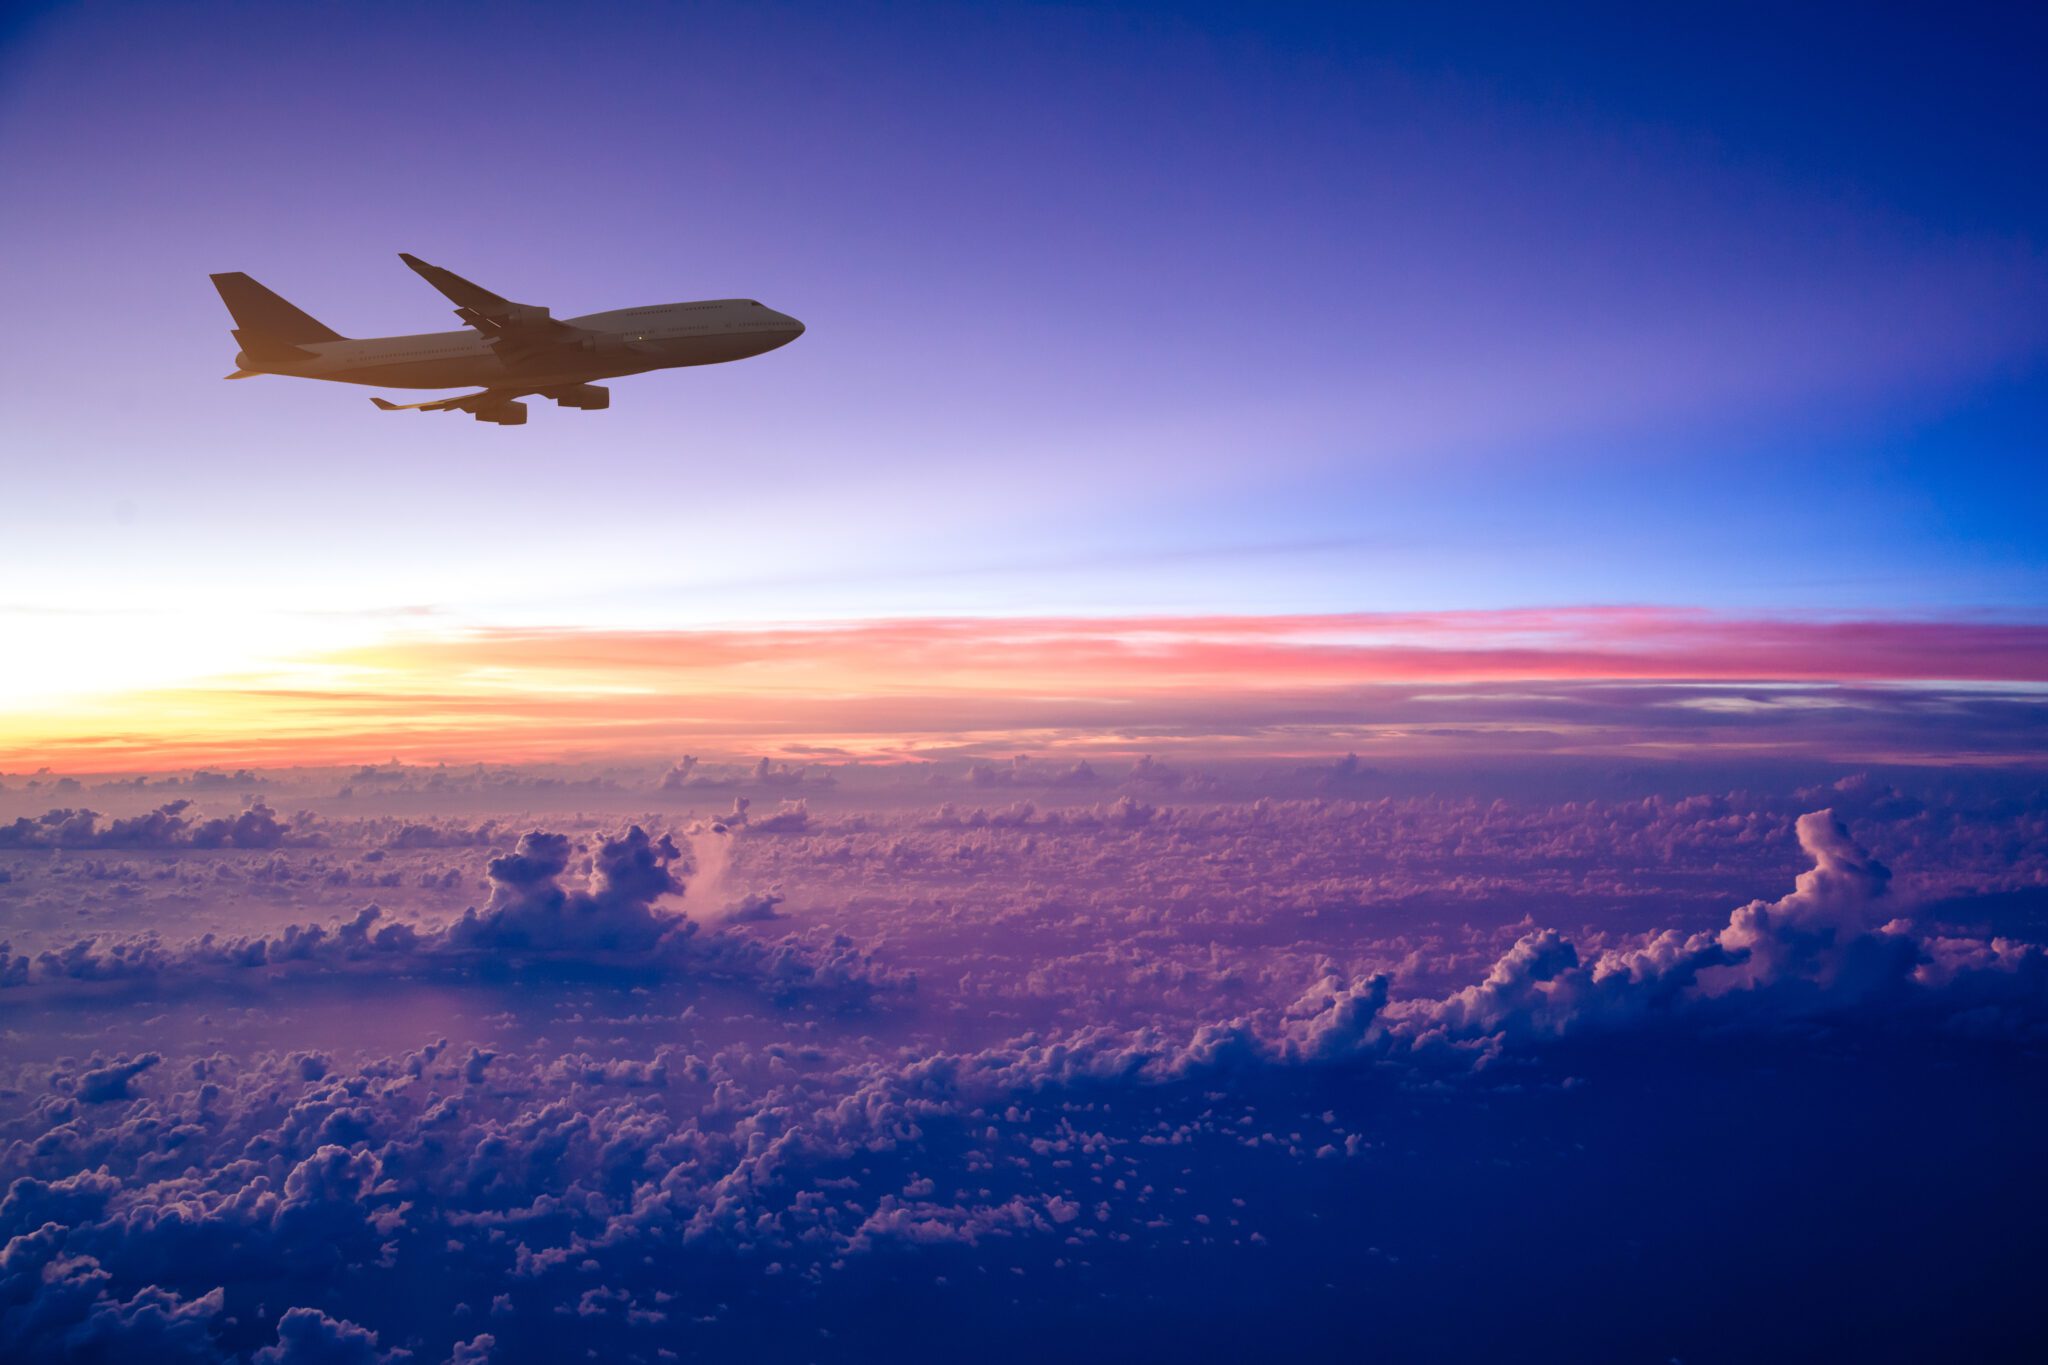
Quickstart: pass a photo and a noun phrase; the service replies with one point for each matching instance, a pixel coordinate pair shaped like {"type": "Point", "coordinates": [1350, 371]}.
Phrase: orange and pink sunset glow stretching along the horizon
{"type": "Point", "coordinates": [896, 689]}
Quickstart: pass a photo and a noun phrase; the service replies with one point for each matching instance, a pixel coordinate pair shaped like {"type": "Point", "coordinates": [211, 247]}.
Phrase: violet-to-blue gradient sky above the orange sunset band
{"type": "Point", "coordinates": [1140, 310]}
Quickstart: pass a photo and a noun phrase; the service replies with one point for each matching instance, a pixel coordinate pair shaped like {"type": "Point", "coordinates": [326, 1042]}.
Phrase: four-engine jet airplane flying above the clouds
{"type": "Point", "coordinates": [511, 349]}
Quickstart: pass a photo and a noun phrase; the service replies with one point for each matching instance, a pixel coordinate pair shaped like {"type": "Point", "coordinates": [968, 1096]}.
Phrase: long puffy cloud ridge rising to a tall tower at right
{"type": "Point", "coordinates": [1828, 946]}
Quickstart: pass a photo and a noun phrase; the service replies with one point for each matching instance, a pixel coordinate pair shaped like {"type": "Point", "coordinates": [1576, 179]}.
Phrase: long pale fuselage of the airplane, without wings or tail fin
{"type": "Point", "coordinates": [626, 343]}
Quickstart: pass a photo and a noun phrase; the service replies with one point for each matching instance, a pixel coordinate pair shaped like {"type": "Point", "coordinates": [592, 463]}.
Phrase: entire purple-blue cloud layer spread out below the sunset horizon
{"type": "Point", "coordinates": [1097, 1043]}
